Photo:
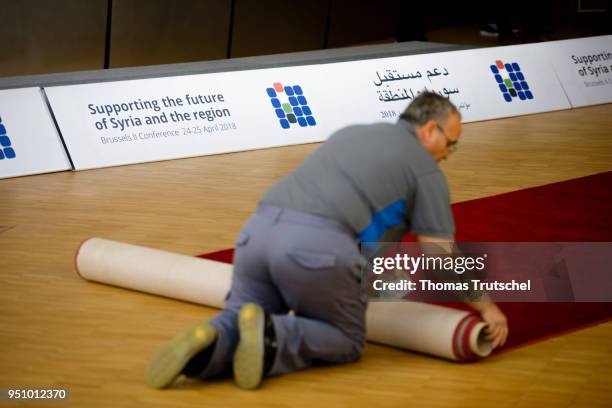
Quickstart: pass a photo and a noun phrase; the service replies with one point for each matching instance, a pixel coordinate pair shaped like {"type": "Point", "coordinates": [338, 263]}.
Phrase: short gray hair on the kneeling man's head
{"type": "Point", "coordinates": [427, 106]}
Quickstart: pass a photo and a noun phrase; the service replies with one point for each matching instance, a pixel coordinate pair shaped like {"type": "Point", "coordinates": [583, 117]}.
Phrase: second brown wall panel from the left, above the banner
{"type": "Point", "coordinates": [151, 32]}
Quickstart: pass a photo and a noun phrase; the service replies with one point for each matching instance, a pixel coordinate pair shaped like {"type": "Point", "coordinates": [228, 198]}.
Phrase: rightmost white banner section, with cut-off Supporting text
{"type": "Point", "coordinates": [584, 67]}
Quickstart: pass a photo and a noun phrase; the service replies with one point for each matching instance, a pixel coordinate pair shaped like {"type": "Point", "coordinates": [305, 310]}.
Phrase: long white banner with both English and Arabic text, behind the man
{"type": "Point", "coordinates": [117, 123]}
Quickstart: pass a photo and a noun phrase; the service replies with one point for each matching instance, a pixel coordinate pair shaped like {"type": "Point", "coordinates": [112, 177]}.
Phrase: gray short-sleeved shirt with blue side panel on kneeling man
{"type": "Point", "coordinates": [376, 179]}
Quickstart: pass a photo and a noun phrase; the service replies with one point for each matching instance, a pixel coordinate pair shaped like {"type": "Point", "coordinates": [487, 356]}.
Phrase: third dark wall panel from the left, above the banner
{"type": "Point", "coordinates": [277, 26]}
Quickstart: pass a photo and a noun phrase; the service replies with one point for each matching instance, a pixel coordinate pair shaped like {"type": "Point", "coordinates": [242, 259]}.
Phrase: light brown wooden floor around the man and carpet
{"type": "Point", "coordinates": [58, 330]}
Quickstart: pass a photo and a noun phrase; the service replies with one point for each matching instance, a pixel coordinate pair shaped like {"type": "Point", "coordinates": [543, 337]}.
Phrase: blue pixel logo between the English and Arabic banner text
{"type": "Point", "coordinates": [290, 106]}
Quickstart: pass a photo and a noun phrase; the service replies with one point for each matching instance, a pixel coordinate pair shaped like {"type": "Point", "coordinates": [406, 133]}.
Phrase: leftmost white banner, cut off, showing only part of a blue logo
{"type": "Point", "coordinates": [29, 143]}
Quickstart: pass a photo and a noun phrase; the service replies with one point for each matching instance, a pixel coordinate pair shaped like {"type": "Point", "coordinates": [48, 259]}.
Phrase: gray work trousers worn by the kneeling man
{"type": "Point", "coordinates": [292, 261]}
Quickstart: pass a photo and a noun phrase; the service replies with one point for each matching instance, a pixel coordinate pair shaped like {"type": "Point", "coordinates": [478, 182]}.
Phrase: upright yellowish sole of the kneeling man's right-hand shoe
{"type": "Point", "coordinates": [249, 355]}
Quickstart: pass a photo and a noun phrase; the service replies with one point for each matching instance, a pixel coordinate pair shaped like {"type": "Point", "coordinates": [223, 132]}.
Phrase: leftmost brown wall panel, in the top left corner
{"type": "Point", "coordinates": [45, 36]}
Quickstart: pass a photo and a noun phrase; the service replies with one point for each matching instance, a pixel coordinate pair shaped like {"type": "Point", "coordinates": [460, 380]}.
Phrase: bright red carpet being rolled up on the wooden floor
{"type": "Point", "coordinates": [578, 210]}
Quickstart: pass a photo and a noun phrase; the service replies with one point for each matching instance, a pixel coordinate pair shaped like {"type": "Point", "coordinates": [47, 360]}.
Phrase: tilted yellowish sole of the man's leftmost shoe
{"type": "Point", "coordinates": [167, 364]}
